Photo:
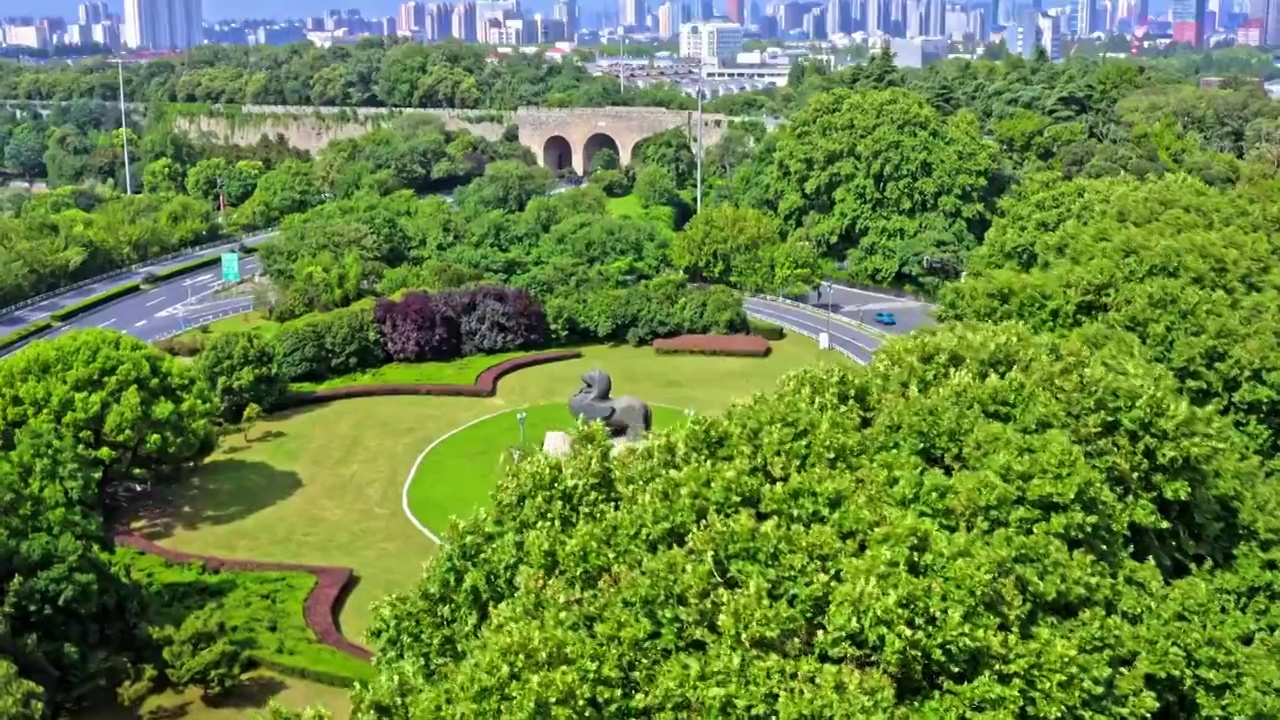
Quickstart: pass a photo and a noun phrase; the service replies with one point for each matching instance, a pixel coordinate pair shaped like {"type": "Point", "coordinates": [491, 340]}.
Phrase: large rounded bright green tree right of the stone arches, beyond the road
{"type": "Point", "coordinates": [886, 179]}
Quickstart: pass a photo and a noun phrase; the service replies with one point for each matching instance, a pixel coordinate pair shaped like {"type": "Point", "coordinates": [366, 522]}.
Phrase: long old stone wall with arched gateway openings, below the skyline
{"type": "Point", "coordinates": [561, 139]}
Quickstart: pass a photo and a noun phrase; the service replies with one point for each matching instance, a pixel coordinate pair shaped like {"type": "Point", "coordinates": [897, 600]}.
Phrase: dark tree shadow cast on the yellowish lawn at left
{"type": "Point", "coordinates": [220, 493]}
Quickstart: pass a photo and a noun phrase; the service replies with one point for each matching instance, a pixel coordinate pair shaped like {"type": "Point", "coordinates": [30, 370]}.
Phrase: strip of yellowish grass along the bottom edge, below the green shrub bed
{"type": "Point", "coordinates": [244, 704]}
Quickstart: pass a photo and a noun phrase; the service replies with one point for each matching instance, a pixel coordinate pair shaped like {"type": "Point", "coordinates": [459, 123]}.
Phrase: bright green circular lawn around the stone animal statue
{"type": "Point", "coordinates": [458, 476]}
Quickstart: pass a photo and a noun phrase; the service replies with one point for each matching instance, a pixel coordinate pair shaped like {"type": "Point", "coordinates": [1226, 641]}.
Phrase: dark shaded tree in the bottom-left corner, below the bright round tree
{"type": "Point", "coordinates": [65, 614]}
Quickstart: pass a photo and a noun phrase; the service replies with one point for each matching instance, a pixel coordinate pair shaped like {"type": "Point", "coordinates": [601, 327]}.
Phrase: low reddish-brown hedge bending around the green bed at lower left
{"type": "Point", "coordinates": [322, 604]}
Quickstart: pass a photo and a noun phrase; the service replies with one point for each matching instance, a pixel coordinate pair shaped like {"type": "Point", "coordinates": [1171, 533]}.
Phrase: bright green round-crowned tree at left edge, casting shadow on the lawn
{"type": "Point", "coordinates": [139, 413]}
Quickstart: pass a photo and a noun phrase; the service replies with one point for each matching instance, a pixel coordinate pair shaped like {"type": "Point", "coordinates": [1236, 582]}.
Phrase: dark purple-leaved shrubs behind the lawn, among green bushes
{"type": "Point", "coordinates": [459, 323]}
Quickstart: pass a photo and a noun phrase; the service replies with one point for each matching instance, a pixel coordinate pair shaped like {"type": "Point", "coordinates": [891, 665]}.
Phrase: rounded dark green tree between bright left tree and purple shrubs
{"type": "Point", "coordinates": [243, 370]}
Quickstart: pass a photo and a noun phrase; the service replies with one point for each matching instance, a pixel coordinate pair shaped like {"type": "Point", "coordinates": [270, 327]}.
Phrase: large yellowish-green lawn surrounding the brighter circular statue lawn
{"type": "Point", "coordinates": [322, 485]}
